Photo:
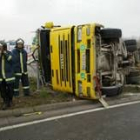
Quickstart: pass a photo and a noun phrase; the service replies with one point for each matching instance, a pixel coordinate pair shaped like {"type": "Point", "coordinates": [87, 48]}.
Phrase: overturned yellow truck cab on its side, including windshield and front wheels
{"type": "Point", "coordinates": [84, 60]}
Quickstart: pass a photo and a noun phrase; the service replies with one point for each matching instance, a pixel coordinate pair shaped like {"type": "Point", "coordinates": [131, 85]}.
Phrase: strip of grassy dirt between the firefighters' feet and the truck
{"type": "Point", "coordinates": [44, 96]}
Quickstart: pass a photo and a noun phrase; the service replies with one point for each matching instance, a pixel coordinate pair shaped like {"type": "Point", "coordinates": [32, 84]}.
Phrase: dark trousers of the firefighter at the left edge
{"type": "Point", "coordinates": [7, 91]}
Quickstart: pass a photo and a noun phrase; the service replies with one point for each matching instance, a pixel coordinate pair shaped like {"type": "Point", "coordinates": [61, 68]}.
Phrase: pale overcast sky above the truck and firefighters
{"type": "Point", "coordinates": [18, 18]}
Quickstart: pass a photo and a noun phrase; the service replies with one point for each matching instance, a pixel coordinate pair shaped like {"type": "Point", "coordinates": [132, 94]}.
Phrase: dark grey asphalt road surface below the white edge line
{"type": "Point", "coordinates": [121, 123]}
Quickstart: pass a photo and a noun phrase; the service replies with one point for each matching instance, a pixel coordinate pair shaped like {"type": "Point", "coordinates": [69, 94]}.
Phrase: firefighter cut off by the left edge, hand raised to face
{"type": "Point", "coordinates": [6, 76]}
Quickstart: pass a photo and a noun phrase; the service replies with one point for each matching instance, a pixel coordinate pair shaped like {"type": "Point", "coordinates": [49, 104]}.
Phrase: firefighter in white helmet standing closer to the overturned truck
{"type": "Point", "coordinates": [20, 67]}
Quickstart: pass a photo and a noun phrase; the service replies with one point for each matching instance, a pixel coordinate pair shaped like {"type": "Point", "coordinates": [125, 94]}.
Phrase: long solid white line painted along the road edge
{"type": "Point", "coordinates": [65, 116]}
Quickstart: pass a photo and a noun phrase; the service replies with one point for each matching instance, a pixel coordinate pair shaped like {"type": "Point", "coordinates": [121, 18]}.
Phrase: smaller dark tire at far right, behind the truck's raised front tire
{"type": "Point", "coordinates": [131, 45]}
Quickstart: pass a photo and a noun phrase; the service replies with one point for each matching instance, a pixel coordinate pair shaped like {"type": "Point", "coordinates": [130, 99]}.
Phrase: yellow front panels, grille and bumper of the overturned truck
{"type": "Point", "coordinates": [73, 59]}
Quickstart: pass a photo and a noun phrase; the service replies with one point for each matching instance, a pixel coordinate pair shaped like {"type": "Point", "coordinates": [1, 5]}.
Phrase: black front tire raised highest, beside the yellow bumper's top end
{"type": "Point", "coordinates": [109, 33]}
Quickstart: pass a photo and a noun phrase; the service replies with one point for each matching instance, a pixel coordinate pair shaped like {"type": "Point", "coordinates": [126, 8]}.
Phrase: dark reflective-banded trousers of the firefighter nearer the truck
{"type": "Point", "coordinates": [25, 84]}
